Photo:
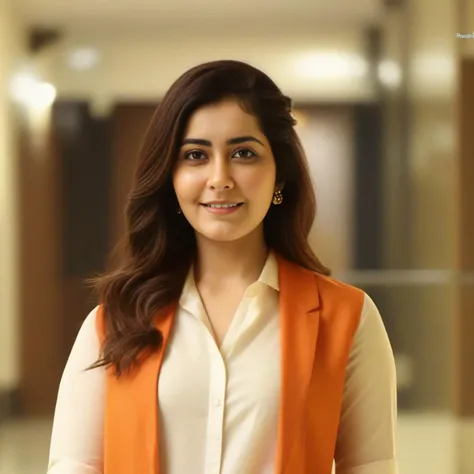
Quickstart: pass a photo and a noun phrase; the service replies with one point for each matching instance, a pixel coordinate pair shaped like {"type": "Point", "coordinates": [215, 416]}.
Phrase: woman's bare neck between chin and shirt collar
{"type": "Point", "coordinates": [220, 264]}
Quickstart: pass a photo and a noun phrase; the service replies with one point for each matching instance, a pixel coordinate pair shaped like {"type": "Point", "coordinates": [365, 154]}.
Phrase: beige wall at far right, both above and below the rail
{"type": "Point", "coordinates": [421, 183]}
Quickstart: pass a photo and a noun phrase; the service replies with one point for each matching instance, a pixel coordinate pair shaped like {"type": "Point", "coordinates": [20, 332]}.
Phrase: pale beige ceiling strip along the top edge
{"type": "Point", "coordinates": [209, 14]}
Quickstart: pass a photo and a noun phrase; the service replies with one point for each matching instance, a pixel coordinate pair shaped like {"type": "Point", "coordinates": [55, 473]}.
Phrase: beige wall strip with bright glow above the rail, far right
{"type": "Point", "coordinates": [433, 83]}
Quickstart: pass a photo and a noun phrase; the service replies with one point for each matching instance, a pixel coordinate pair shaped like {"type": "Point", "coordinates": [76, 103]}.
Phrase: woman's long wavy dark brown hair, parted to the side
{"type": "Point", "coordinates": [159, 244]}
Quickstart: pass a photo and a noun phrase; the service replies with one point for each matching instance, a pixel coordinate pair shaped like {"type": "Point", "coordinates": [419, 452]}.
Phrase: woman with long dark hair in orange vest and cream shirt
{"type": "Point", "coordinates": [221, 345]}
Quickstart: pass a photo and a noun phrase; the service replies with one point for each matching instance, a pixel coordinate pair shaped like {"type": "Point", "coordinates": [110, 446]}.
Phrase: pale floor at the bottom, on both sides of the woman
{"type": "Point", "coordinates": [427, 444]}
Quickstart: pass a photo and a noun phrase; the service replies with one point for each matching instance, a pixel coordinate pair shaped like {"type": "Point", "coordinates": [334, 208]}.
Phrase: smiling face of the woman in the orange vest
{"type": "Point", "coordinates": [225, 175]}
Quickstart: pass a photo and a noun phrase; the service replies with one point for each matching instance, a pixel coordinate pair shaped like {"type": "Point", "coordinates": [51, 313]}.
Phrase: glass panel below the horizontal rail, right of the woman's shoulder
{"type": "Point", "coordinates": [419, 320]}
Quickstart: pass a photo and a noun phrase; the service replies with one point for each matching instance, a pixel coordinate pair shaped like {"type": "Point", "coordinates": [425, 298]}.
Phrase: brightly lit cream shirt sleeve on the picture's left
{"type": "Point", "coordinates": [76, 441]}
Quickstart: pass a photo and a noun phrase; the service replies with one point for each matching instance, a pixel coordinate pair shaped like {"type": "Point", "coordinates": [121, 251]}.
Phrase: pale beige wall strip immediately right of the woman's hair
{"type": "Point", "coordinates": [328, 139]}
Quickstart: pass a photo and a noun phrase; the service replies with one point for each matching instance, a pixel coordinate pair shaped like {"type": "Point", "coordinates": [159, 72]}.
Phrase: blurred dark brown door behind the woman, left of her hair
{"type": "Point", "coordinates": [97, 173]}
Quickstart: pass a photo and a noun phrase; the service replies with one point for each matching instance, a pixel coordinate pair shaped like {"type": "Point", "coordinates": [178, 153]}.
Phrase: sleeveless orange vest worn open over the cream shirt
{"type": "Point", "coordinates": [319, 317]}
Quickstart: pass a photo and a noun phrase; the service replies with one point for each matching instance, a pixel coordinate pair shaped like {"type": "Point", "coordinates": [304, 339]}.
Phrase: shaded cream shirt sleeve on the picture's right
{"type": "Point", "coordinates": [366, 441]}
